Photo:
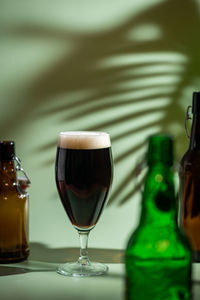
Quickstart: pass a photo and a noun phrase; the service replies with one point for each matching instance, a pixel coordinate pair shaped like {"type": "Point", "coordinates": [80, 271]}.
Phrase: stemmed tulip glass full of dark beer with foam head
{"type": "Point", "coordinates": [83, 178]}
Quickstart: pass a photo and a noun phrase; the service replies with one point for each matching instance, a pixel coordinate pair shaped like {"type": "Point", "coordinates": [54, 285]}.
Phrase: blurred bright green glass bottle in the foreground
{"type": "Point", "coordinates": [158, 256]}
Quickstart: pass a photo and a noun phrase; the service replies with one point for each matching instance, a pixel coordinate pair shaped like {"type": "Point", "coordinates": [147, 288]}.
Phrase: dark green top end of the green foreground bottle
{"type": "Point", "coordinates": [160, 149]}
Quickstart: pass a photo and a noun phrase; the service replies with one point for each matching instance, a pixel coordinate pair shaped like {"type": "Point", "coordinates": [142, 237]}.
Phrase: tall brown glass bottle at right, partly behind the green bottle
{"type": "Point", "coordinates": [190, 183]}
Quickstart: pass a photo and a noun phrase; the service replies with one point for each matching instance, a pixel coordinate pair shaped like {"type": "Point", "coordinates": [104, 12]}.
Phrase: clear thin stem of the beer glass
{"type": "Point", "coordinates": [83, 258]}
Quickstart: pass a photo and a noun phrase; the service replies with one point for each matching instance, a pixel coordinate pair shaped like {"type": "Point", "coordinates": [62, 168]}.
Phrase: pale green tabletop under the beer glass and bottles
{"type": "Point", "coordinates": [33, 279]}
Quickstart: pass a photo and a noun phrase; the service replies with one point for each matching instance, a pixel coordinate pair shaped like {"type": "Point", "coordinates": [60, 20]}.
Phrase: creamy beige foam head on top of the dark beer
{"type": "Point", "coordinates": [84, 140]}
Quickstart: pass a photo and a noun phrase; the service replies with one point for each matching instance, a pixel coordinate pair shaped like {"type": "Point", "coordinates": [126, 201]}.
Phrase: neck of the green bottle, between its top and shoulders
{"type": "Point", "coordinates": [158, 204]}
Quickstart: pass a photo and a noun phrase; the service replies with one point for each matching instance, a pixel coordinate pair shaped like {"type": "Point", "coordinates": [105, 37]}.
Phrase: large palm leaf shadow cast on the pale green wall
{"type": "Point", "coordinates": [107, 80]}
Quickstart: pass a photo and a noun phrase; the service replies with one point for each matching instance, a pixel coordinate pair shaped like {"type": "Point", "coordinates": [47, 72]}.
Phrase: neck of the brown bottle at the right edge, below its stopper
{"type": "Point", "coordinates": [195, 133]}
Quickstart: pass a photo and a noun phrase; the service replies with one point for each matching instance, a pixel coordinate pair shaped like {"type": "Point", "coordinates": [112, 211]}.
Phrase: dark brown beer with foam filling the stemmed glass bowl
{"type": "Point", "coordinates": [83, 178]}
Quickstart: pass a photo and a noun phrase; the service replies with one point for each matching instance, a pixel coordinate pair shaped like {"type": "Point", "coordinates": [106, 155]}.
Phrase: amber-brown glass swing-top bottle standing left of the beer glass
{"type": "Point", "coordinates": [14, 244]}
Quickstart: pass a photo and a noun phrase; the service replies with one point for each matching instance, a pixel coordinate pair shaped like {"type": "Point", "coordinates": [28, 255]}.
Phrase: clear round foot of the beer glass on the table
{"type": "Point", "coordinates": [78, 270]}
